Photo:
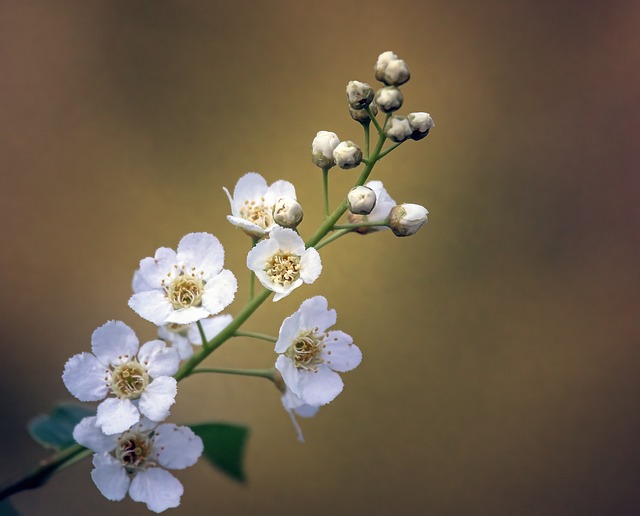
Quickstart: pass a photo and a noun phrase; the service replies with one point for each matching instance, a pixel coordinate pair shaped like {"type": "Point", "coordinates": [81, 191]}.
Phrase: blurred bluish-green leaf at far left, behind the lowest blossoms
{"type": "Point", "coordinates": [55, 430]}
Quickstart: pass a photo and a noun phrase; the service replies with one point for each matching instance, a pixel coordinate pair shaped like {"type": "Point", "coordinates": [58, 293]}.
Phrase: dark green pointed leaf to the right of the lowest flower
{"type": "Point", "coordinates": [224, 446]}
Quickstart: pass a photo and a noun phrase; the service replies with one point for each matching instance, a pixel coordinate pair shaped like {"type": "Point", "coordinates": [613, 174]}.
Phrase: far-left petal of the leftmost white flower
{"type": "Point", "coordinates": [84, 376]}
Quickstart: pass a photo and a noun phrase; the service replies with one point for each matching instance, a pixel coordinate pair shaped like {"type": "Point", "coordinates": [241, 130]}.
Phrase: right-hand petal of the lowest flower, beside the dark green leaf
{"type": "Point", "coordinates": [176, 447]}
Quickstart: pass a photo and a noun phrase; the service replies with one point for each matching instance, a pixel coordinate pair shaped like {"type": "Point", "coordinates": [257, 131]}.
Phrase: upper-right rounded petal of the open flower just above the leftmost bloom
{"type": "Point", "coordinates": [202, 252]}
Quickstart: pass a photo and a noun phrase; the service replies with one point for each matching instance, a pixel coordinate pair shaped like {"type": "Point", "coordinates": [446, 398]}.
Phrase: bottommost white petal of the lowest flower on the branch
{"type": "Point", "coordinates": [158, 488]}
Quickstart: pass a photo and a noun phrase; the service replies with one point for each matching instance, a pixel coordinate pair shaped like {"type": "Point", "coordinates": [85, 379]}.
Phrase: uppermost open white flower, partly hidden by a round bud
{"type": "Point", "coordinates": [253, 201]}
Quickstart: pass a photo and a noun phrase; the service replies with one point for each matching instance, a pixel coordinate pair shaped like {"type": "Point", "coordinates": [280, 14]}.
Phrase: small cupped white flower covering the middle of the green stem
{"type": "Point", "coordinates": [282, 263]}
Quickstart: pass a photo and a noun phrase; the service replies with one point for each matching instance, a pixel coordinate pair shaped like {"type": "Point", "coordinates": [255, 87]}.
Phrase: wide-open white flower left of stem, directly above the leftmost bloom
{"type": "Point", "coordinates": [184, 286]}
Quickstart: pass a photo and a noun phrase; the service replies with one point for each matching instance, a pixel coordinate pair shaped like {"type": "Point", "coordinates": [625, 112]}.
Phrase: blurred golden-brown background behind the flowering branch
{"type": "Point", "coordinates": [501, 343]}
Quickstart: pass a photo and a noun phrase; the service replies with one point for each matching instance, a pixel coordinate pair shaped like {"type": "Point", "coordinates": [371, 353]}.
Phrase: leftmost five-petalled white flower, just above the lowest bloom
{"type": "Point", "coordinates": [133, 381]}
